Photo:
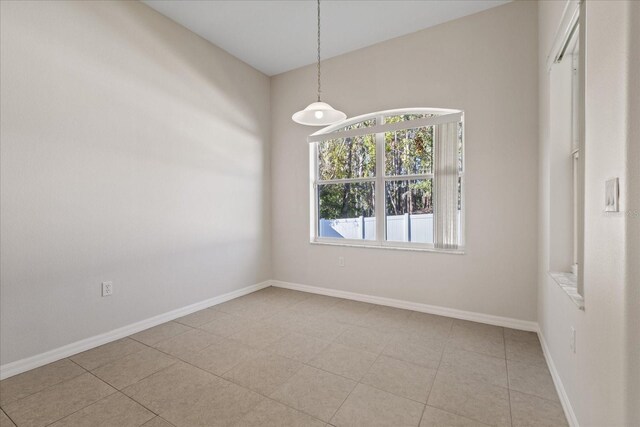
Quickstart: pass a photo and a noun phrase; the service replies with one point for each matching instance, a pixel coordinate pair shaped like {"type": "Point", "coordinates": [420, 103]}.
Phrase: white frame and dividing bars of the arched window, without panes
{"type": "Point", "coordinates": [379, 130]}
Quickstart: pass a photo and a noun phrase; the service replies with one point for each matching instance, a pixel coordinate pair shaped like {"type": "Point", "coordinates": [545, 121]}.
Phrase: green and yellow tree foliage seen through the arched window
{"type": "Point", "coordinates": [407, 152]}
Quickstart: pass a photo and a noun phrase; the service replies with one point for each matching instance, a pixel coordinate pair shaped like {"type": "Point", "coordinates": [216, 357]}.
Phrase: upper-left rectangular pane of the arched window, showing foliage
{"type": "Point", "coordinates": [345, 158]}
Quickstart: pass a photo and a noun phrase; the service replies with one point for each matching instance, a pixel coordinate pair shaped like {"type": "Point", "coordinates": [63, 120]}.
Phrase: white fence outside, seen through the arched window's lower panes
{"type": "Point", "coordinates": [400, 228]}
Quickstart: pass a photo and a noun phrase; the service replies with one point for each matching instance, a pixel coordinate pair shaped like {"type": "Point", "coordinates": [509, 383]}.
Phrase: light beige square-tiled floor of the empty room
{"type": "Point", "coordinates": [285, 358]}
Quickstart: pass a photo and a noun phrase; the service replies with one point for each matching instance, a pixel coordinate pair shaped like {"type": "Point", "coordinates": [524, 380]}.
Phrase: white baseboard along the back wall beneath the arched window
{"type": "Point", "coordinates": [508, 322]}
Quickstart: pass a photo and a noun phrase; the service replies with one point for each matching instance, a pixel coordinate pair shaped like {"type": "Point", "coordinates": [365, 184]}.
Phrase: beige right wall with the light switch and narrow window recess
{"type": "Point", "coordinates": [601, 378]}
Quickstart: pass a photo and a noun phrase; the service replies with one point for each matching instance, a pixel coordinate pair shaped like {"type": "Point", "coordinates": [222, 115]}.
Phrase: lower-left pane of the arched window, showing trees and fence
{"type": "Point", "coordinates": [347, 211]}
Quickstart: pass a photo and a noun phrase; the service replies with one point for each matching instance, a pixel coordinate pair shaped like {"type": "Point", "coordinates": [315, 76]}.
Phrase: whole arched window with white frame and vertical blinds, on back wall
{"type": "Point", "coordinates": [404, 167]}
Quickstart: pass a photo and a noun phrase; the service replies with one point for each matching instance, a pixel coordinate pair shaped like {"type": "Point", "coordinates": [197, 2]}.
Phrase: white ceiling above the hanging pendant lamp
{"type": "Point", "coordinates": [275, 36]}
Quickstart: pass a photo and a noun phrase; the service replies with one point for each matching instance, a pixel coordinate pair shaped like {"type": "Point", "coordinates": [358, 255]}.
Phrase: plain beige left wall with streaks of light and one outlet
{"type": "Point", "coordinates": [132, 151]}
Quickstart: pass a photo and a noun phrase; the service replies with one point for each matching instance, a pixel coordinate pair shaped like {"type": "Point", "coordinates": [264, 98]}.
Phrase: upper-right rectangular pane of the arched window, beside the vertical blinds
{"type": "Point", "coordinates": [409, 151]}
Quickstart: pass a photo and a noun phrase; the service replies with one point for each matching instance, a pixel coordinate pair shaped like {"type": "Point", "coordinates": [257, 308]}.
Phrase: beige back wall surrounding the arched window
{"type": "Point", "coordinates": [484, 64]}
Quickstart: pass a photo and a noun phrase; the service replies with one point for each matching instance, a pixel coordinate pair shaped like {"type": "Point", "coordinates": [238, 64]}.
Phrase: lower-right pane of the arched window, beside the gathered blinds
{"type": "Point", "coordinates": [409, 210]}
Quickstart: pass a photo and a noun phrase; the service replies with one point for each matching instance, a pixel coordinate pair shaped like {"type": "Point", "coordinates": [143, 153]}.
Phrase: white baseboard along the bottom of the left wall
{"type": "Point", "coordinates": [10, 369]}
